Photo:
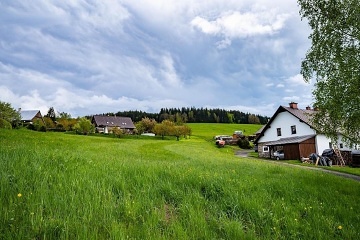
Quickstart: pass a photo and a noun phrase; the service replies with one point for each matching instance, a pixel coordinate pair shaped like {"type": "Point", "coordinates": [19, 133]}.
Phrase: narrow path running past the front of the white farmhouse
{"type": "Point", "coordinates": [244, 153]}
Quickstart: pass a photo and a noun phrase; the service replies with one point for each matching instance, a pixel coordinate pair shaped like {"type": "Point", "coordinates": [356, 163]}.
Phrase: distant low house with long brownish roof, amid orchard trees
{"type": "Point", "coordinates": [105, 124]}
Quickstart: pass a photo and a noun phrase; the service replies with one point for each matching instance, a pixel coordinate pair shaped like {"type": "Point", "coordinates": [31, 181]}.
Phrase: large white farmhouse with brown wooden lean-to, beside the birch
{"type": "Point", "coordinates": [290, 130]}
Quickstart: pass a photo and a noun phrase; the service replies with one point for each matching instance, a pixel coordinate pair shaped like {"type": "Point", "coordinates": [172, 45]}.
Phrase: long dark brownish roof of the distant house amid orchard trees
{"type": "Point", "coordinates": [113, 121]}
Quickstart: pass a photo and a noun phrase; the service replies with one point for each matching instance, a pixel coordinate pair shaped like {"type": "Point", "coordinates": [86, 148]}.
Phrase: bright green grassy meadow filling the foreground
{"type": "Point", "coordinates": [63, 186]}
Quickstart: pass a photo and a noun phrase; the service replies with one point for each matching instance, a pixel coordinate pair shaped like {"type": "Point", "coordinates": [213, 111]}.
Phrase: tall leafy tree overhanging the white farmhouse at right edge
{"type": "Point", "coordinates": [334, 60]}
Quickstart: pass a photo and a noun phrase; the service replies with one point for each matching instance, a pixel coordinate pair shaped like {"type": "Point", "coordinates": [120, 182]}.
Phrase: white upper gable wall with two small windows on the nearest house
{"type": "Point", "coordinates": [285, 120]}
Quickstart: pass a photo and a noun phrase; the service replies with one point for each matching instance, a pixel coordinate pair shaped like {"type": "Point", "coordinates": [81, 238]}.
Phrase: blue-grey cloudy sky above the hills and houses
{"type": "Point", "coordinates": [95, 56]}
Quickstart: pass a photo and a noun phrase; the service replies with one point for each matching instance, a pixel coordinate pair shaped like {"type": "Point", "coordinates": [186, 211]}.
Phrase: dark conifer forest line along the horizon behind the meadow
{"type": "Point", "coordinates": [195, 115]}
